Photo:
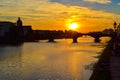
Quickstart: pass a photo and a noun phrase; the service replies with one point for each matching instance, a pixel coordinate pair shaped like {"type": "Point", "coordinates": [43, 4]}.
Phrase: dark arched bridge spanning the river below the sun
{"type": "Point", "coordinates": [51, 35]}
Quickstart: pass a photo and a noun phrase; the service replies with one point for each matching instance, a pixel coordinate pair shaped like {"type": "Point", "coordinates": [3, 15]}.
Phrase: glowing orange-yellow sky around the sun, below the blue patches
{"type": "Point", "coordinates": [44, 14]}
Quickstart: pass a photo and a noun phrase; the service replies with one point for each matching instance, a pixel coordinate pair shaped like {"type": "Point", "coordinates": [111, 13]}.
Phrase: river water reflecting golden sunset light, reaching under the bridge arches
{"type": "Point", "coordinates": [62, 60]}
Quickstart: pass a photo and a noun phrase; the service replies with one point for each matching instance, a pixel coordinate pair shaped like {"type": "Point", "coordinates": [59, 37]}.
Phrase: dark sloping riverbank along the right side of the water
{"type": "Point", "coordinates": [101, 70]}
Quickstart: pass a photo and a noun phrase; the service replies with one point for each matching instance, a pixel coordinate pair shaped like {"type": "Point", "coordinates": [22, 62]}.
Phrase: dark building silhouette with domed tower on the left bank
{"type": "Point", "coordinates": [14, 32]}
